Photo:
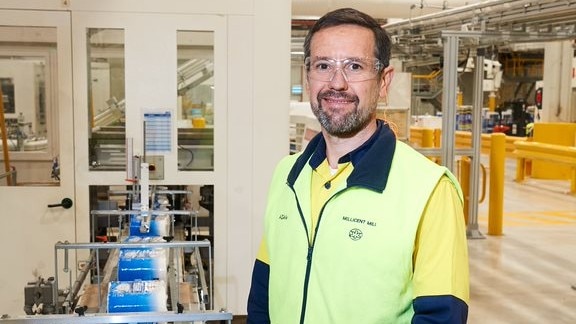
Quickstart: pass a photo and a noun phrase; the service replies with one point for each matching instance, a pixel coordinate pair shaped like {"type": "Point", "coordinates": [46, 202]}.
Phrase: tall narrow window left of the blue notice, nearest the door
{"type": "Point", "coordinates": [106, 94]}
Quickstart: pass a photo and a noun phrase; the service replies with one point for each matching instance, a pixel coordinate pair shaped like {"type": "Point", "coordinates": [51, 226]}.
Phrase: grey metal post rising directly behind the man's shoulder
{"type": "Point", "coordinates": [449, 99]}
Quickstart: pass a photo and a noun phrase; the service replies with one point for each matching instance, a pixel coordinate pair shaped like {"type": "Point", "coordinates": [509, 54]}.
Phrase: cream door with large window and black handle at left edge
{"type": "Point", "coordinates": [37, 183]}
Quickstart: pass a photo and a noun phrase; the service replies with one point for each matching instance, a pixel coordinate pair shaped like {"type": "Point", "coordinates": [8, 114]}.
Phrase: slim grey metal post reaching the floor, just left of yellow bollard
{"type": "Point", "coordinates": [478, 98]}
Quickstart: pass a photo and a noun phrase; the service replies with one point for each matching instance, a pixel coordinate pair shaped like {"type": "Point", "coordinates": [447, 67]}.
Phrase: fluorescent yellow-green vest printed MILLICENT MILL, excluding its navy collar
{"type": "Point", "coordinates": [359, 266]}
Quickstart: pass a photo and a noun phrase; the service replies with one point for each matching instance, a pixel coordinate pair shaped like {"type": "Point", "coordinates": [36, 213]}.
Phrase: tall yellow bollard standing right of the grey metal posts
{"type": "Point", "coordinates": [496, 200]}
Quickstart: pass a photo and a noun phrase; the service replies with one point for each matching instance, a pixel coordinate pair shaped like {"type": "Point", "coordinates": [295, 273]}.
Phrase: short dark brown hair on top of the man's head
{"type": "Point", "coordinates": [349, 16]}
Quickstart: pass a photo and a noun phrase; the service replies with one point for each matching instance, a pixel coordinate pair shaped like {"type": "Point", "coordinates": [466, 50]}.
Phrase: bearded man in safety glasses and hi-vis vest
{"type": "Point", "coordinates": [359, 227]}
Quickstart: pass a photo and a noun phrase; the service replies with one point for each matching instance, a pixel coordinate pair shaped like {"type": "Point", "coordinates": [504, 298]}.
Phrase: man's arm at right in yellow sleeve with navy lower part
{"type": "Point", "coordinates": [441, 275]}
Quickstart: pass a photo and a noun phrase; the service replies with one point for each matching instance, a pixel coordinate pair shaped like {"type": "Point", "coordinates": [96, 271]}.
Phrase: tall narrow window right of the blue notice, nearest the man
{"type": "Point", "coordinates": [195, 77]}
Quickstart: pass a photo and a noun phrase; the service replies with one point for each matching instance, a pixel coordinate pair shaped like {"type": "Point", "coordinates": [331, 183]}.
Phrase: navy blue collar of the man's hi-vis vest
{"type": "Point", "coordinates": [371, 161]}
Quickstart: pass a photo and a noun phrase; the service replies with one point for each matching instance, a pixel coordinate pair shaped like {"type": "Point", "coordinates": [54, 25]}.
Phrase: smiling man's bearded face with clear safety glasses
{"type": "Point", "coordinates": [343, 106]}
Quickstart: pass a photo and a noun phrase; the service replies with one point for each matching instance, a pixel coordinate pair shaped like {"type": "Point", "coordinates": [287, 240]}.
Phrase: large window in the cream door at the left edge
{"type": "Point", "coordinates": [27, 58]}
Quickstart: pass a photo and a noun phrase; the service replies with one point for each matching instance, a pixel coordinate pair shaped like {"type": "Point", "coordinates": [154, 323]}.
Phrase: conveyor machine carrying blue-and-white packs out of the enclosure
{"type": "Point", "coordinates": [151, 264]}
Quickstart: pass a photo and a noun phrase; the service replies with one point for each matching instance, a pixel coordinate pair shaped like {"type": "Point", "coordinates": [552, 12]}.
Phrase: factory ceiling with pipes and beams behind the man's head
{"type": "Point", "coordinates": [495, 24]}
